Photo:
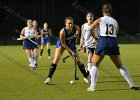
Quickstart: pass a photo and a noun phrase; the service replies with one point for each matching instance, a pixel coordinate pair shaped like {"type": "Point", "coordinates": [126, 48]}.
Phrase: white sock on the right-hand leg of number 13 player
{"type": "Point", "coordinates": [124, 72]}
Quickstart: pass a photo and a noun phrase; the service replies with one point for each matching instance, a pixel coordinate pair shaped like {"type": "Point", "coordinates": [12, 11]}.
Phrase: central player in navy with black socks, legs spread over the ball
{"type": "Point", "coordinates": [66, 41]}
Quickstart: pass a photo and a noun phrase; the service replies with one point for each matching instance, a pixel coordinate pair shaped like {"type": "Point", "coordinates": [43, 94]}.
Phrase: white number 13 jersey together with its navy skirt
{"type": "Point", "coordinates": [108, 44]}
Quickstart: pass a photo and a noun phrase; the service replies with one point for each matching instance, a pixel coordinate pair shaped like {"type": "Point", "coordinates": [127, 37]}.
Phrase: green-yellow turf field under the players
{"type": "Point", "coordinates": [18, 82]}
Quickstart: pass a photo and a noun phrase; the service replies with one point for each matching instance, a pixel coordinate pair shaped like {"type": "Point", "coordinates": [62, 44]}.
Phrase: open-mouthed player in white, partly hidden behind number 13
{"type": "Point", "coordinates": [86, 38]}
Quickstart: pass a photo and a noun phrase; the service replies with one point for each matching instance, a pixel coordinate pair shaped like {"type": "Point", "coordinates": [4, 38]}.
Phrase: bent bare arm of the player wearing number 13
{"type": "Point", "coordinates": [93, 26]}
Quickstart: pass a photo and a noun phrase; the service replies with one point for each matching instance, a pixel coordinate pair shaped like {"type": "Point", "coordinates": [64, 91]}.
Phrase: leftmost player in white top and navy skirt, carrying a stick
{"type": "Point", "coordinates": [29, 32]}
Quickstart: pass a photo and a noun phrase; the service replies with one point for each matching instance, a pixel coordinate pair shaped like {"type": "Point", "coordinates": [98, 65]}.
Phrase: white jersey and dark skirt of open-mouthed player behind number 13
{"type": "Point", "coordinates": [88, 38]}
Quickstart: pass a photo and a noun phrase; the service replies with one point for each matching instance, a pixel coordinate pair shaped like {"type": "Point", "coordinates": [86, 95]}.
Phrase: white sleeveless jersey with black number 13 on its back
{"type": "Point", "coordinates": [108, 26]}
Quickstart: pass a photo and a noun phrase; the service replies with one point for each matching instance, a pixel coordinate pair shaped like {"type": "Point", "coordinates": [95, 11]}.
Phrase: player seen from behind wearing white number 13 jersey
{"type": "Point", "coordinates": [108, 45]}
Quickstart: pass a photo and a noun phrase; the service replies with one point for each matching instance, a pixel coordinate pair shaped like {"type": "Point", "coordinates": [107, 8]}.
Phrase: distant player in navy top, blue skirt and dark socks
{"type": "Point", "coordinates": [46, 31]}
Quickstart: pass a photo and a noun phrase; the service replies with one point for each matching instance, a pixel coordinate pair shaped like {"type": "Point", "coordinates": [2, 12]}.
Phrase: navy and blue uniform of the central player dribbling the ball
{"type": "Point", "coordinates": [70, 39]}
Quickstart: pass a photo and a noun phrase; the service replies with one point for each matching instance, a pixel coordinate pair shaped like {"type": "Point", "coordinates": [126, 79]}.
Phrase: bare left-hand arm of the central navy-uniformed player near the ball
{"type": "Point", "coordinates": [62, 39]}
